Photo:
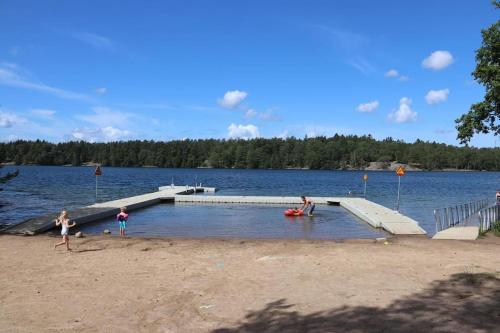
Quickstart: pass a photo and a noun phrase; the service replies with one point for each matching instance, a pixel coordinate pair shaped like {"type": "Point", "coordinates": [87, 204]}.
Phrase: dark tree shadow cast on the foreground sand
{"type": "Point", "coordinates": [465, 303]}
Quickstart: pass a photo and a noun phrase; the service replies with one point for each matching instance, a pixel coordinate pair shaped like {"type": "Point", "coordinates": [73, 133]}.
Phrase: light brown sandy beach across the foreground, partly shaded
{"type": "Point", "coordinates": [111, 284]}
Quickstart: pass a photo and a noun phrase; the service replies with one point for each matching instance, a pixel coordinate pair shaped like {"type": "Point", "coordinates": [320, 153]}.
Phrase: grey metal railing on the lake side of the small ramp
{"type": "Point", "coordinates": [457, 215]}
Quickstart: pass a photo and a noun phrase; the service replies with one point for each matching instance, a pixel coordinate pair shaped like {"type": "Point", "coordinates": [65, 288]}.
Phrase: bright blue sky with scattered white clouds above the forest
{"type": "Point", "coordinates": [105, 71]}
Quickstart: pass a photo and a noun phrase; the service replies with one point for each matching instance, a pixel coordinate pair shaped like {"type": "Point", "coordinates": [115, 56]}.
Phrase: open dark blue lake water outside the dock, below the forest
{"type": "Point", "coordinates": [40, 190]}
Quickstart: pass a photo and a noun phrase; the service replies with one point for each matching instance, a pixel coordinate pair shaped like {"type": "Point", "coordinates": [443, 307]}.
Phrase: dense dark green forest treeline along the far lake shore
{"type": "Point", "coordinates": [337, 152]}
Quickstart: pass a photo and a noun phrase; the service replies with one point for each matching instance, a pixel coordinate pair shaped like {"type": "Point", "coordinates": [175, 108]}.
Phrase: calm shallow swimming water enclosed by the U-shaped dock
{"type": "Point", "coordinates": [246, 221]}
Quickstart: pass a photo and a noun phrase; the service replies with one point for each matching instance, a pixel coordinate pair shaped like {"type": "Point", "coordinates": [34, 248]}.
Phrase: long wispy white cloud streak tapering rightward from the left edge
{"type": "Point", "coordinates": [11, 75]}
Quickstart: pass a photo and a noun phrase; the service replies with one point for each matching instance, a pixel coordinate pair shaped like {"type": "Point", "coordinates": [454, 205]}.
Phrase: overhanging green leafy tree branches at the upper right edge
{"type": "Point", "coordinates": [484, 117]}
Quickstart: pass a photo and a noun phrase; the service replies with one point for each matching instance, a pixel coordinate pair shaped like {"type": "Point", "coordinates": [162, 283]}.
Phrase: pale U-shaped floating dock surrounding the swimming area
{"type": "Point", "coordinates": [374, 214]}
